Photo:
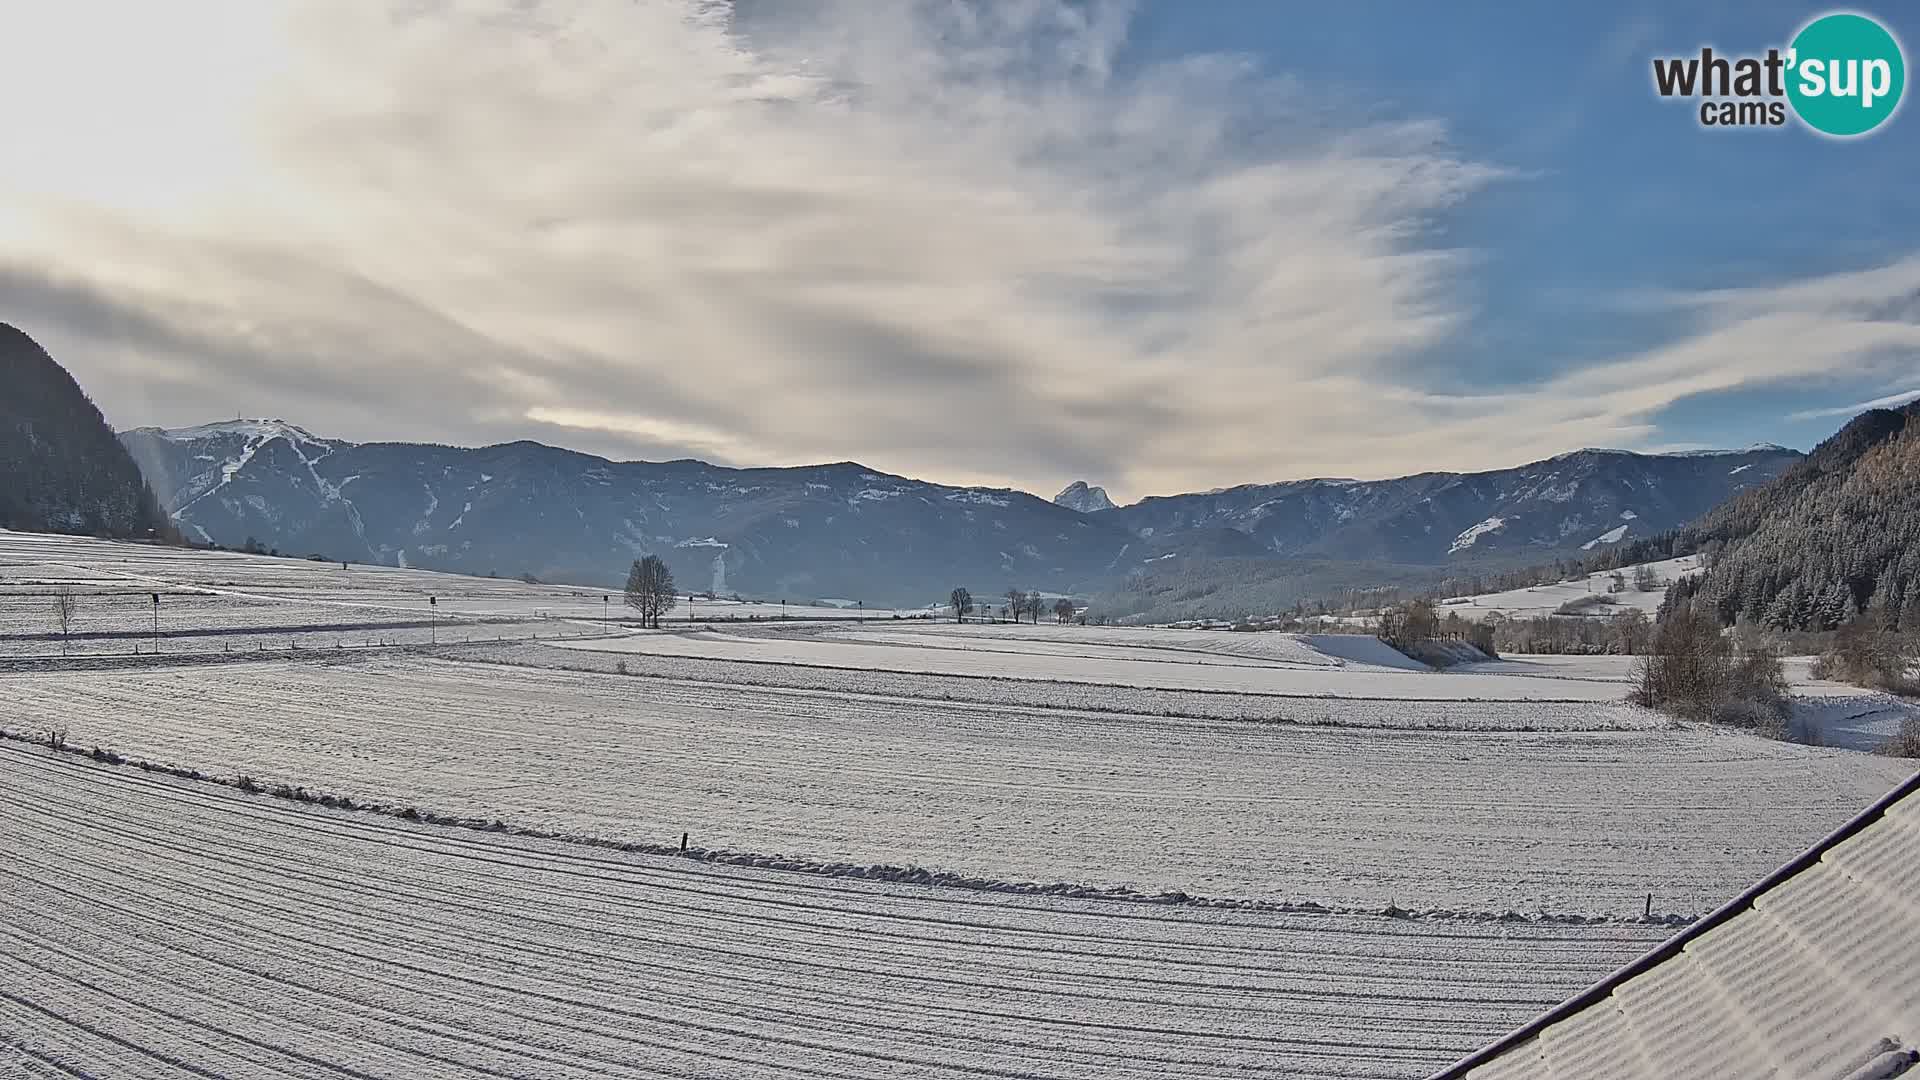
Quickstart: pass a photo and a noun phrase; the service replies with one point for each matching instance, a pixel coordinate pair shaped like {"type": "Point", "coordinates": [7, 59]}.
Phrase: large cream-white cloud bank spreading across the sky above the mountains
{"type": "Point", "coordinates": [971, 243]}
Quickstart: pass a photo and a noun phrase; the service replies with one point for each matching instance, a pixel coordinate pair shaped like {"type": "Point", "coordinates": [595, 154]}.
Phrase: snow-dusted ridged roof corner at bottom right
{"type": "Point", "coordinates": [1810, 975]}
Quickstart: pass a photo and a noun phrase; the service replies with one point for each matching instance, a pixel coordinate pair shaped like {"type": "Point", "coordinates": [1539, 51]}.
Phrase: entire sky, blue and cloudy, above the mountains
{"type": "Point", "coordinates": [1159, 247]}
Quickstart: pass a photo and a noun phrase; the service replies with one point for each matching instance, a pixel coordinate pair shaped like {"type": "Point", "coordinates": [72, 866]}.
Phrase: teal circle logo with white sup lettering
{"type": "Point", "coordinates": [1846, 74]}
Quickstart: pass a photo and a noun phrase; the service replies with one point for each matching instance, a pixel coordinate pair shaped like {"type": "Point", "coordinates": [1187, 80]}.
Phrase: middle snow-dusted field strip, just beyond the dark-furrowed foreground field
{"type": "Point", "coordinates": [1487, 822]}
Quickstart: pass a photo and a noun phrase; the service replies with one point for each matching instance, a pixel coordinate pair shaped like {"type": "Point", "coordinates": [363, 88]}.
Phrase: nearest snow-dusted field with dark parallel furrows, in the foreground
{"type": "Point", "coordinates": [251, 939]}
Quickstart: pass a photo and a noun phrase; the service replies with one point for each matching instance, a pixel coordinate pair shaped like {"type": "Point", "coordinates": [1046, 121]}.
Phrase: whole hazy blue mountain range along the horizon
{"type": "Point", "coordinates": [852, 533]}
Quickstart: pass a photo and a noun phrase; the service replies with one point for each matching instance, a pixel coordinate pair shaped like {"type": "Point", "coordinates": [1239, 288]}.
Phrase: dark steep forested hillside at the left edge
{"type": "Point", "coordinates": [60, 466]}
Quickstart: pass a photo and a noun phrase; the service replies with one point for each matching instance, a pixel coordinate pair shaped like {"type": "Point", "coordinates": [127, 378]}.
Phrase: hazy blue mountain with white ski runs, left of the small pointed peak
{"type": "Point", "coordinates": [525, 508]}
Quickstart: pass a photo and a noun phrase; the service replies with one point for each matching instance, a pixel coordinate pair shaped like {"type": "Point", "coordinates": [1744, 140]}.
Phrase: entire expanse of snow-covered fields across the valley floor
{"type": "Point", "coordinates": [1232, 814]}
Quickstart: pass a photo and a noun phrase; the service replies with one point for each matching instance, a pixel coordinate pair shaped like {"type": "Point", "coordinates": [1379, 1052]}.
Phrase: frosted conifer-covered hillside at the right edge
{"type": "Point", "coordinates": [1835, 537]}
